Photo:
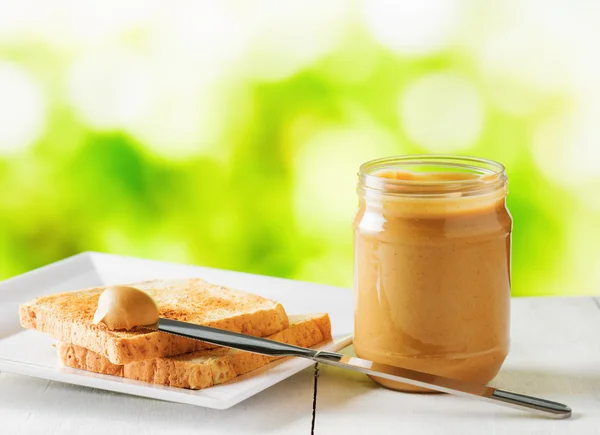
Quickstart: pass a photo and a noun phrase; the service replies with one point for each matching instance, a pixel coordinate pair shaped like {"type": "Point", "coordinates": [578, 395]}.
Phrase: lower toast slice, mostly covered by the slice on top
{"type": "Point", "coordinates": [201, 369]}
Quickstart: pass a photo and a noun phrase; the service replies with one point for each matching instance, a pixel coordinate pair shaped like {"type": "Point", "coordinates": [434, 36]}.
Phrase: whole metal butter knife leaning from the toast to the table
{"type": "Point", "coordinates": [263, 346]}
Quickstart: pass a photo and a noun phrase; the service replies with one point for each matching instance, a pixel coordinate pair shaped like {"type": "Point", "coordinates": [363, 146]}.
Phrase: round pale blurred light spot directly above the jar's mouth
{"type": "Point", "coordinates": [442, 112]}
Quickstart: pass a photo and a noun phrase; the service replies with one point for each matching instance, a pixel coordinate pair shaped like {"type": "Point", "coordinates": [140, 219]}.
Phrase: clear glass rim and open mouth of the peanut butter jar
{"type": "Point", "coordinates": [432, 175]}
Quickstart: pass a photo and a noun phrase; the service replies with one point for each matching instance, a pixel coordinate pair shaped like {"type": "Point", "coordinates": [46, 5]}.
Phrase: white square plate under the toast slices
{"type": "Point", "coordinates": [31, 352]}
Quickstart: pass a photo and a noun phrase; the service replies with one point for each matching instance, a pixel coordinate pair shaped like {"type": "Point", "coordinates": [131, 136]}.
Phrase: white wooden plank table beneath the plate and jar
{"type": "Point", "coordinates": [555, 354]}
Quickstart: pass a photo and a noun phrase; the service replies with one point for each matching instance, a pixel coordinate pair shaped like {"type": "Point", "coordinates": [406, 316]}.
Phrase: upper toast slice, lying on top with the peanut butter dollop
{"type": "Point", "coordinates": [68, 317]}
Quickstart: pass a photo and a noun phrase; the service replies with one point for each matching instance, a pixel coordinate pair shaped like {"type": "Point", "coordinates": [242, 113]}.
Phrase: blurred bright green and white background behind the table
{"type": "Point", "coordinates": [229, 133]}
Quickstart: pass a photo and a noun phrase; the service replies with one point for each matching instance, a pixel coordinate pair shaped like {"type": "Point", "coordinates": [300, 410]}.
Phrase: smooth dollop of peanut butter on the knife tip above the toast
{"type": "Point", "coordinates": [122, 307]}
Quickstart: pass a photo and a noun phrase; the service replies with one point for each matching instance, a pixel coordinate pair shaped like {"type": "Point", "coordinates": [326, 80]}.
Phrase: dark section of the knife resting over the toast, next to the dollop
{"type": "Point", "coordinates": [233, 339]}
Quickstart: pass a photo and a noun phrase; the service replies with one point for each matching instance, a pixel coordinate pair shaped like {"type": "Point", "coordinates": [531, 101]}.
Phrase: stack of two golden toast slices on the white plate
{"type": "Point", "coordinates": [161, 358]}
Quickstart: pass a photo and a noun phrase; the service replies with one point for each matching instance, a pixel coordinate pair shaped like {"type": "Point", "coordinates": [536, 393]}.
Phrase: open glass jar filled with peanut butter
{"type": "Point", "coordinates": [432, 266]}
